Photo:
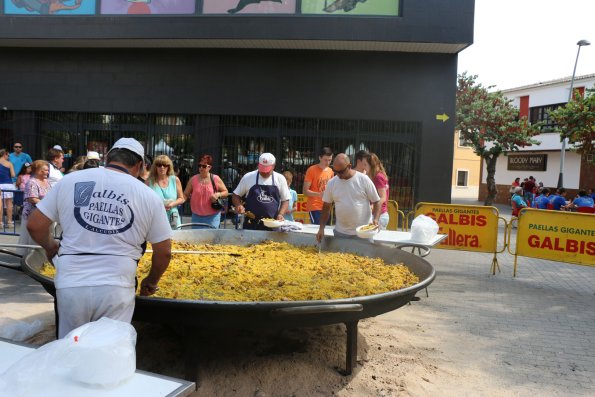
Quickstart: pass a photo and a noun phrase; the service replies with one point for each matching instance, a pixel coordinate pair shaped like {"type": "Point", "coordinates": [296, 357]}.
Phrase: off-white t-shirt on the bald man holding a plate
{"type": "Point", "coordinates": [352, 198]}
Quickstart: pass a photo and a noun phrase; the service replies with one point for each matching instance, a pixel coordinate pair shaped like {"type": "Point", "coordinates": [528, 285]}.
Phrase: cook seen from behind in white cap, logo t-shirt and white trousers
{"type": "Point", "coordinates": [106, 215]}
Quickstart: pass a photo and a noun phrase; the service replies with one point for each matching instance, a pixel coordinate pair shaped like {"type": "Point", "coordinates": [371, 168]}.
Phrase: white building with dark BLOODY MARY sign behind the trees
{"type": "Point", "coordinates": [543, 161]}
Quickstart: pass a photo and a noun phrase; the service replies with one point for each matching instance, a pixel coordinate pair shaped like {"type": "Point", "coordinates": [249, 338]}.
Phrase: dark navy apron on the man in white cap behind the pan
{"type": "Point", "coordinates": [263, 201]}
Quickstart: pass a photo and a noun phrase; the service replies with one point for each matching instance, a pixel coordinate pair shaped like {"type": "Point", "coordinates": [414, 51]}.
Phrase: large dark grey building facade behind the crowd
{"type": "Point", "coordinates": [234, 78]}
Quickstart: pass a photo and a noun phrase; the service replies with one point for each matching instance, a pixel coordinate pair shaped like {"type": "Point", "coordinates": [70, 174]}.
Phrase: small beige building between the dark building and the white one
{"type": "Point", "coordinates": [466, 170]}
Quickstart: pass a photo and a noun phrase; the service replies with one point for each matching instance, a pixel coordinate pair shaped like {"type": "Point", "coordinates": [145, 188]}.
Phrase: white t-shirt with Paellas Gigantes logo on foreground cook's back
{"type": "Point", "coordinates": [105, 216]}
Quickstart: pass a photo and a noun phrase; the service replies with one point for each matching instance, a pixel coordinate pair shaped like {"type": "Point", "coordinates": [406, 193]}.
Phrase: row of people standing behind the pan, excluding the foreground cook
{"type": "Point", "coordinates": [258, 194]}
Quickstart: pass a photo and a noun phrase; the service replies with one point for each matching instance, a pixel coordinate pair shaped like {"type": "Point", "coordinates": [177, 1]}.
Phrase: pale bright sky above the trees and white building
{"type": "Point", "coordinates": [522, 42]}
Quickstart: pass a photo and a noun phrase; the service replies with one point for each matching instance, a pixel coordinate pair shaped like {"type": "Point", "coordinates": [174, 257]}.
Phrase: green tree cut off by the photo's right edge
{"type": "Point", "coordinates": [576, 121]}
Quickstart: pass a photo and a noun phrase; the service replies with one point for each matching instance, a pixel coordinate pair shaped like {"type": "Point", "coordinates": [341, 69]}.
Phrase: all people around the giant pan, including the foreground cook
{"type": "Point", "coordinates": [107, 213]}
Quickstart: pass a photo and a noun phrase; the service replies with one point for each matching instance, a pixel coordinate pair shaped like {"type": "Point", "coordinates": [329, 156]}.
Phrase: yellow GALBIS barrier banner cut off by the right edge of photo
{"type": "Point", "coordinates": [557, 235]}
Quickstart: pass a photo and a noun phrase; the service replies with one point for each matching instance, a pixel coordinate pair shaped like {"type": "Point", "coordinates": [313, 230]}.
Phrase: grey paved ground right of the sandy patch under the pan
{"type": "Point", "coordinates": [533, 334]}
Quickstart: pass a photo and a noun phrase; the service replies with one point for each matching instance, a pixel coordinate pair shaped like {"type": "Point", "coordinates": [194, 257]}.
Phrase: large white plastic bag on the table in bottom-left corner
{"type": "Point", "coordinates": [98, 354]}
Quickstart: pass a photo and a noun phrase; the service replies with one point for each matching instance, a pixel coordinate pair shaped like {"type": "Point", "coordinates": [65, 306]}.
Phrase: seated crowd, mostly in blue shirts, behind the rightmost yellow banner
{"type": "Point", "coordinates": [530, 194]}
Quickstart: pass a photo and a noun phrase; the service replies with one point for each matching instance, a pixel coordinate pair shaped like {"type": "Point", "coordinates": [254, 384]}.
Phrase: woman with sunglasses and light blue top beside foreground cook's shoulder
{"type": "Point", "coordinates": [167, 186]}
